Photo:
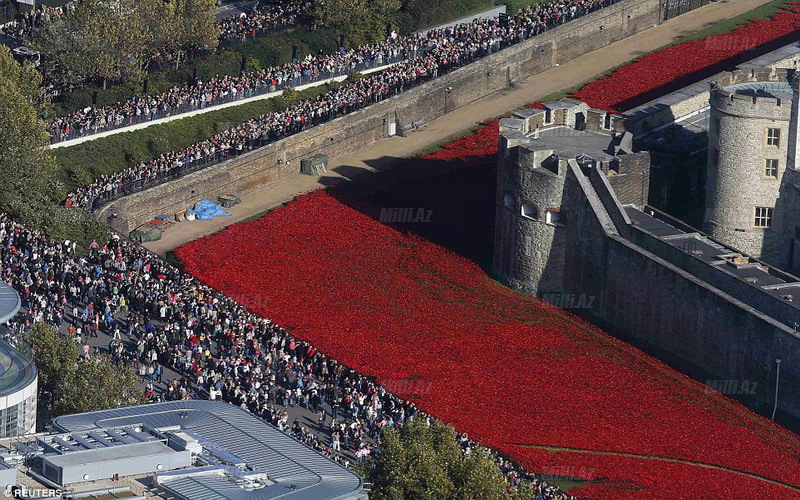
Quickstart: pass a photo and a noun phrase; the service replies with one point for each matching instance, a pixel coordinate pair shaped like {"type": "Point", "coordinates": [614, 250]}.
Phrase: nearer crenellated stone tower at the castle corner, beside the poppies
{"type": "Point", "coordinates": [536, 210]}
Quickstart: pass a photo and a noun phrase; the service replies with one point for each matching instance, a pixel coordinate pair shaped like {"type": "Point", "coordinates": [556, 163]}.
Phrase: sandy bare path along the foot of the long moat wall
{"type": "Point", "coordinates": [394, 149]}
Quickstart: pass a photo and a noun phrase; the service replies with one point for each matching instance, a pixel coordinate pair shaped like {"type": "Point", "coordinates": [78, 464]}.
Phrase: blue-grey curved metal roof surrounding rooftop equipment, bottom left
{"type": "Point", "coordinates": [294, 470]}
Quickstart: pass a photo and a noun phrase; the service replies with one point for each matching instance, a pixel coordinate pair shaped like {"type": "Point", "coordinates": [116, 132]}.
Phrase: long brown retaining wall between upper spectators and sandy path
{"type": "Point", "coordinates": [366, 127]}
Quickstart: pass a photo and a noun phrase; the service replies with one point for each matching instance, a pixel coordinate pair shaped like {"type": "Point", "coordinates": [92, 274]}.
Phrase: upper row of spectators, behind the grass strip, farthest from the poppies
{"type": "Point", "coordinates": [180, 99]}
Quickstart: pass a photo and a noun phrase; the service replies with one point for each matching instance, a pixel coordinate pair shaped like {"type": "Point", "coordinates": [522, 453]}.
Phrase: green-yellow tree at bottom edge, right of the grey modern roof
{"type": "Point", "coordinates": [421, 461]}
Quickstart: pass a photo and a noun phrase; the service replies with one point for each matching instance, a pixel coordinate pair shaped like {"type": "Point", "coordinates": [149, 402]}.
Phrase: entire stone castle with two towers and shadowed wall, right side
{"type": "Point", "coordinates": [576, 218]}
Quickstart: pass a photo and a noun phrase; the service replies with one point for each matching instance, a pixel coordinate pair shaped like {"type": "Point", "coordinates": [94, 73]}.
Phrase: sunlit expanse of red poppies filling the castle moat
{"type": "Point", "coordinates": [515, 373]}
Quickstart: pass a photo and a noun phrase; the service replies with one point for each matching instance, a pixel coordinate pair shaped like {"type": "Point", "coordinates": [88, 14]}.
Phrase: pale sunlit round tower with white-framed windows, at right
{"type": "Point", "coordinates": [749, 142]}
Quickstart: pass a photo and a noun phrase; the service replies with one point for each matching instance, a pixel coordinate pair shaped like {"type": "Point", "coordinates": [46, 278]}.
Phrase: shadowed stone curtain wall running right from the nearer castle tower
{"type": "Point", "coordinates": [644, 290]}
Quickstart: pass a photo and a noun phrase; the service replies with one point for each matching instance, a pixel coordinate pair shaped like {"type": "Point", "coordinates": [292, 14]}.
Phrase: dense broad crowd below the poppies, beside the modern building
{"type": "Point", "coordinates": [158, 316]}
